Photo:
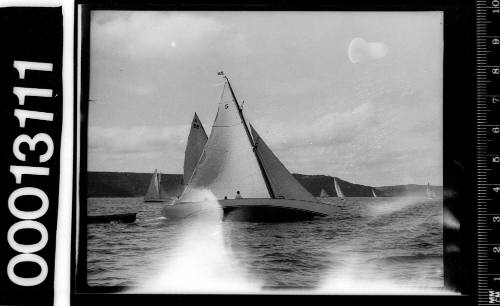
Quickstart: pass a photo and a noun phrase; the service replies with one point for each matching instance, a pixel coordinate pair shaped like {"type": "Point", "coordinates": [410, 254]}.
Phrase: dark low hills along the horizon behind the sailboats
{"type": "Point", "coordinates": [129, 184]}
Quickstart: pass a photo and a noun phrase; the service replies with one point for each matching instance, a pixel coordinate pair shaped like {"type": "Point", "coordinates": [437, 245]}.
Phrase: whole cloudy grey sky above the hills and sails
{"type": "Point", "coordinates": [357, 95]}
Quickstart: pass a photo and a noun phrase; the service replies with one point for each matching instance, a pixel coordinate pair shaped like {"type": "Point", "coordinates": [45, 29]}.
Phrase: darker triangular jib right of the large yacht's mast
{"type": "Point", "coordinates": [283, 184]}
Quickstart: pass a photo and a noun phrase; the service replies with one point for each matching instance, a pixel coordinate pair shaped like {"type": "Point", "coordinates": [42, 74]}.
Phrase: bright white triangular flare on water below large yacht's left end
{"type": "Point", "coordinates": [200, 263]}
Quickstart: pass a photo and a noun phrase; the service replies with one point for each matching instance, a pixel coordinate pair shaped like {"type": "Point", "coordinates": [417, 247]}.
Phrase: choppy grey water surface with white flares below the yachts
{"type": "Point", "coordinates": [372, 245]}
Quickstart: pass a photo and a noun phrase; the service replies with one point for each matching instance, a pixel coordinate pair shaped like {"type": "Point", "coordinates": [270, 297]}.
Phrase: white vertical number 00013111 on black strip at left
{"type": "Point", "coordinates": [27, 252]}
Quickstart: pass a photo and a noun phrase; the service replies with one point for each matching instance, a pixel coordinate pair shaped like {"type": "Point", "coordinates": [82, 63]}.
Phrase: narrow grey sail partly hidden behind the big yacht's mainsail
{"type": "Point", "coordinates": [196, 142]}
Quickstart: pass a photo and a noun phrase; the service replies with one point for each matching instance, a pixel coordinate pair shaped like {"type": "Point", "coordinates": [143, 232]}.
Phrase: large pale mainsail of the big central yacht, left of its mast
{"type": "Point", "coordinates": [228, 163]}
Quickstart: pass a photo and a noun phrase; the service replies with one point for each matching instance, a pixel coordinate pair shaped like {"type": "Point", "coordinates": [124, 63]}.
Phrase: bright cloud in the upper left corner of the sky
{"type": "Point", "coordinates": [150, 35]}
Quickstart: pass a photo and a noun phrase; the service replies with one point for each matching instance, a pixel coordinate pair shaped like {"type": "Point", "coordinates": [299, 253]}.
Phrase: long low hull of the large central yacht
{"type": "Point", "coordinates": [258, 210]}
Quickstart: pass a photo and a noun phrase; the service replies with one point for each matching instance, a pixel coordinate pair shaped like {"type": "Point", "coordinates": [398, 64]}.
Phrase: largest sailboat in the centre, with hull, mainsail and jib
{"type": "Point", "coordinates": [238, 169]}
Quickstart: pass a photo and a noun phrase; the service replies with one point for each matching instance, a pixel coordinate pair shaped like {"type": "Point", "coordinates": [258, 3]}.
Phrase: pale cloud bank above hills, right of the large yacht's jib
{"type": "Point", "coordinates": [354, 144]}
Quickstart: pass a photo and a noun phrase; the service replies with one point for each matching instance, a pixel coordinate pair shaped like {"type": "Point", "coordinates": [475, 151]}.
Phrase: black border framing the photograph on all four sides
{"type": "Point", "coordinates": [458, 149]}
